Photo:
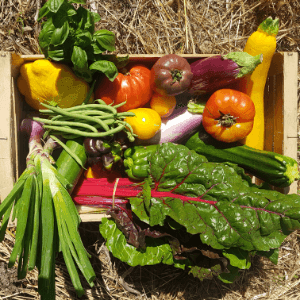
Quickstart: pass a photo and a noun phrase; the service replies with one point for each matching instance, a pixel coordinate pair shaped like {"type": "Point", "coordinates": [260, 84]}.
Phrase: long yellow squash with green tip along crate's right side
{"type": "Point", "coordinates": [262, 41]}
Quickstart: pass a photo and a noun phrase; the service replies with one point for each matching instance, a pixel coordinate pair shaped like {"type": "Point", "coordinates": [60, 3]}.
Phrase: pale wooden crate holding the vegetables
{"type": "Point", "coordinates": [280, 113]}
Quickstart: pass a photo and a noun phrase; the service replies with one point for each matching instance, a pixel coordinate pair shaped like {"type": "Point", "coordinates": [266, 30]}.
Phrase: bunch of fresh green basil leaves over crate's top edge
{"type": "Point", "coordinates": [68, 35]}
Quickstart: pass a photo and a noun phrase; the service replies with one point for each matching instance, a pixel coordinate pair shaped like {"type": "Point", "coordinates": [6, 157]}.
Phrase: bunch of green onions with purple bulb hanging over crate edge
{"type": "Point", "coordinates": [47, 219]}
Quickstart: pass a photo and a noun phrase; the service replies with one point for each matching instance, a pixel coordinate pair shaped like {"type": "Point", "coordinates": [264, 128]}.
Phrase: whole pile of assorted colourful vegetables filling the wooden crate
{"type": "Point", "coordinates": [172, 173]}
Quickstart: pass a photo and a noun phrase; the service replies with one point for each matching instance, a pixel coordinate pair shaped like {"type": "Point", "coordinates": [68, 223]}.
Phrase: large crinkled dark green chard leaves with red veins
{"type": "Point", "coordinates": [209, 211]}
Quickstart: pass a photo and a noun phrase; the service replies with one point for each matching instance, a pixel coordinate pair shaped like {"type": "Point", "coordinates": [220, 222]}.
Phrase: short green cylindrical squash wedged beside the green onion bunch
{"type": "Point", "coordinates": [67, 165]}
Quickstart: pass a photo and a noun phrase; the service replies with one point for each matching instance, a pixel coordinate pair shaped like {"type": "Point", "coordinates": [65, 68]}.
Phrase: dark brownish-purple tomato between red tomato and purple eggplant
{"type": "Point", "coordinates": [171, 75]}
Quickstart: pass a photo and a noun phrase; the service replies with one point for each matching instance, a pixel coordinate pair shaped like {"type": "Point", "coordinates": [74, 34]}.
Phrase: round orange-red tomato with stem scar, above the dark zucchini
{"type": "Point", "coordinates": [228, 115]}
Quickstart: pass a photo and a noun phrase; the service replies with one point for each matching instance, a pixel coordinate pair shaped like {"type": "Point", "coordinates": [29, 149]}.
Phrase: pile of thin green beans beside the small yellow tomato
{"type": "Point", "coordinates": [87, 120]}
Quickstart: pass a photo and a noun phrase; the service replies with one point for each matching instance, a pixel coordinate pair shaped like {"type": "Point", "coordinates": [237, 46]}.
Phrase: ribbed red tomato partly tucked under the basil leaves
{"type": "Point", "coordinates": [132, 86]}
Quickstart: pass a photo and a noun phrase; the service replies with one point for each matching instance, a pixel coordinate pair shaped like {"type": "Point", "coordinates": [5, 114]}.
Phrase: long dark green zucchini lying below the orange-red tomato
{"type": "Point", "coordinates": [273, 168]}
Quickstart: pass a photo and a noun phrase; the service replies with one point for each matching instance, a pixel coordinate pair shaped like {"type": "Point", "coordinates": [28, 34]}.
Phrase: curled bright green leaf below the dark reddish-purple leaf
{"type": "Point", "coordinates": [157, 251]}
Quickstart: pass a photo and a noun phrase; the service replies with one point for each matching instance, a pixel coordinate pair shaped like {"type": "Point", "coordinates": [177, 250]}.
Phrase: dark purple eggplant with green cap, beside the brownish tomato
{"type": "Point", "coordinates": [216, 72]}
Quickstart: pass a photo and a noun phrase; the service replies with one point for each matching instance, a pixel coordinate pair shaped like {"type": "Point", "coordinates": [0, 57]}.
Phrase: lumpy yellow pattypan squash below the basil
{"type": "Point", "coordinates": [44, 81]}
